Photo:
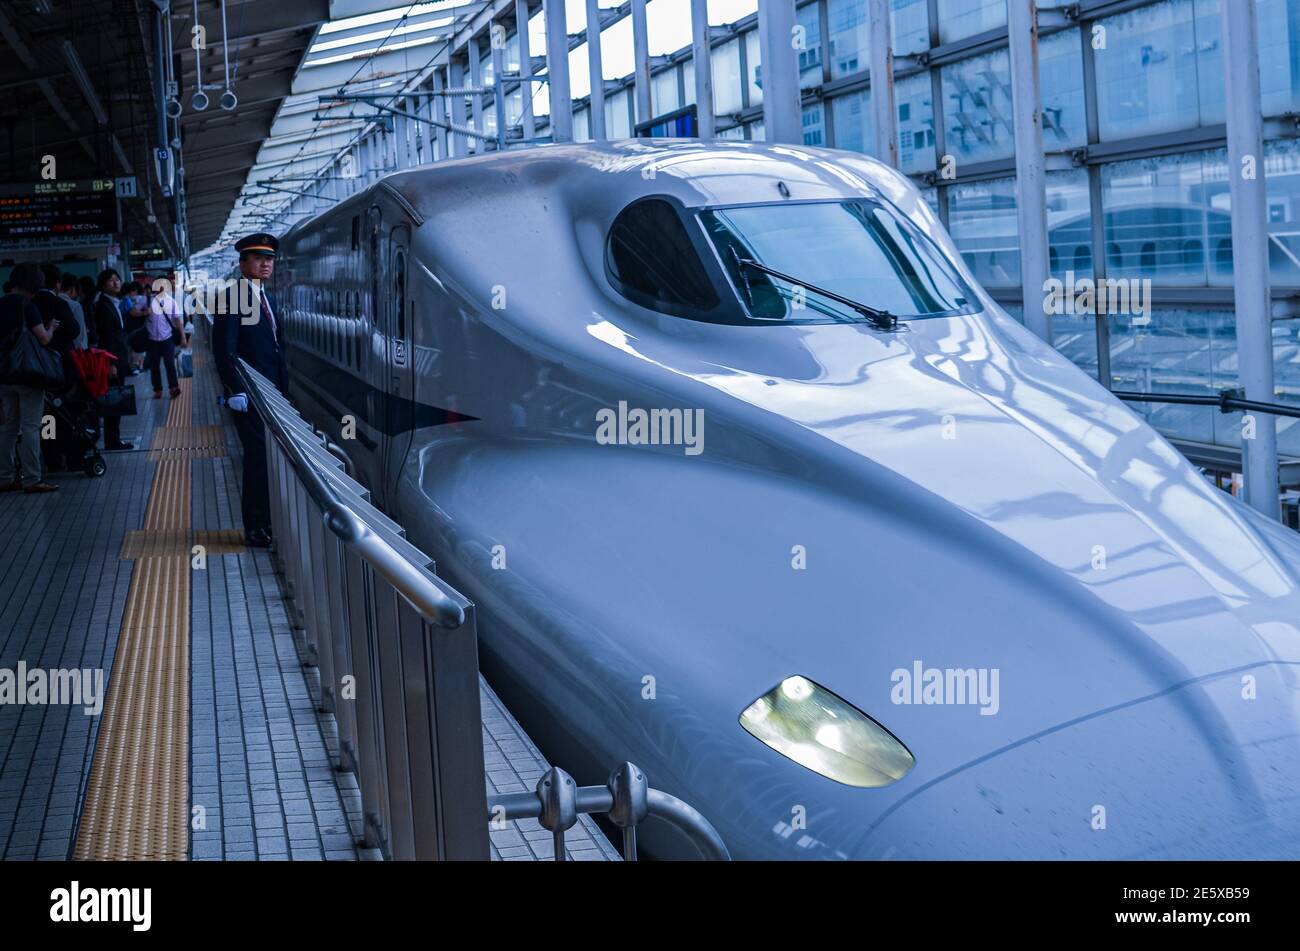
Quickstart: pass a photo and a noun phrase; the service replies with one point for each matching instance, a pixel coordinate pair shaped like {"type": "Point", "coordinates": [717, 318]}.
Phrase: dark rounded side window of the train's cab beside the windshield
{"type": "Point", "coordinates": [652, 260]}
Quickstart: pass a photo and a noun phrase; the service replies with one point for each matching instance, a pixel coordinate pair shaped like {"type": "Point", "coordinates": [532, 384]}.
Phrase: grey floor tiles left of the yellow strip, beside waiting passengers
{"type": "Point", "coordinates": [62, 596]}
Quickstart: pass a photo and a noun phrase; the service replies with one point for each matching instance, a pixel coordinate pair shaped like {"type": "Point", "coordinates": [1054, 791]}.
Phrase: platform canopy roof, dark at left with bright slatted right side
{"type": "Point", "coordinates": [79, 82]}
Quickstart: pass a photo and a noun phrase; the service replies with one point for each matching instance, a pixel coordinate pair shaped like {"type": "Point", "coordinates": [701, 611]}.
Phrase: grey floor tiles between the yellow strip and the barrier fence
{"type": "Point", "coordinates": [261, 768]}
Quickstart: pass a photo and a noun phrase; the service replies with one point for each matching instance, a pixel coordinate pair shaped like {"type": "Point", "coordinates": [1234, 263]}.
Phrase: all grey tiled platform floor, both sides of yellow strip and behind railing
{"type": "Point", "coordinates": [262, 757]}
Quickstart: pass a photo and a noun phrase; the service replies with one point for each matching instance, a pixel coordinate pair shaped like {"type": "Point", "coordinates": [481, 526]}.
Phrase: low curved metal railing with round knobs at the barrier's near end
{"type": "Point", "coordinates": [627, 800]}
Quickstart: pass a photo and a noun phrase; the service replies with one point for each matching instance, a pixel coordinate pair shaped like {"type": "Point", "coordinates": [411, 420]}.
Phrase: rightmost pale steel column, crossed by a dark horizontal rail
{"type": "Point", "coordinates": [1251, 251]}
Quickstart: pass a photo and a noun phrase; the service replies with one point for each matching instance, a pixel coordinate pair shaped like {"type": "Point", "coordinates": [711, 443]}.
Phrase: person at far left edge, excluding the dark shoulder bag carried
{"type": "Point", "coordinates": [23, 406]}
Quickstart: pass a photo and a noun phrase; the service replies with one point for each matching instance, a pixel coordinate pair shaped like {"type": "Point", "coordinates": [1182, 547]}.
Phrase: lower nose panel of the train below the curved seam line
{"type": "Point", "coordinates": [1201, 772]}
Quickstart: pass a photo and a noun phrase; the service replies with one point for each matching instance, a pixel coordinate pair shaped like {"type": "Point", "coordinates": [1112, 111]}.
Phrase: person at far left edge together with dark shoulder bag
{"type": "Point", "coordinates": [20, 367]}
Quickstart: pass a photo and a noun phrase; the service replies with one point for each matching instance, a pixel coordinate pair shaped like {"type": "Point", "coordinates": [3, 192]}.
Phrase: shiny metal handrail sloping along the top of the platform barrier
{"type": "Point", "coordinates": [406, 579]}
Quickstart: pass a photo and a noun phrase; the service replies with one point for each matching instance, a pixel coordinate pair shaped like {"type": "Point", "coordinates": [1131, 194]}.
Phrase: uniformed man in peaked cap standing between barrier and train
{"type": "Point", "coordinates": [257, 340]}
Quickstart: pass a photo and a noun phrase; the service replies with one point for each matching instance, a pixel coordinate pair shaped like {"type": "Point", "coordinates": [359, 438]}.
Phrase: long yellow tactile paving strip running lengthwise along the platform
{"type": "Point", "coordinates": [137, 800]}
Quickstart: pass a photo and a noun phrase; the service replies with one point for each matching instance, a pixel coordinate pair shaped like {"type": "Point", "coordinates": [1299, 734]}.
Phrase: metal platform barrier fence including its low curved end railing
{"type": "Point", "coordinates": [398, 655]}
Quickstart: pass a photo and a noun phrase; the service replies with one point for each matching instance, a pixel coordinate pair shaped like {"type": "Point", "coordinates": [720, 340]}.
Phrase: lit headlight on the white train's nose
{"type": "Point", "coordinates": [817, 729]}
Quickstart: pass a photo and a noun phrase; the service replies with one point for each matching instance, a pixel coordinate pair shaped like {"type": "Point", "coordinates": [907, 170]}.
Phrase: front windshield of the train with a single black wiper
{"type": "Point", "coordinates": [812, 262]}
